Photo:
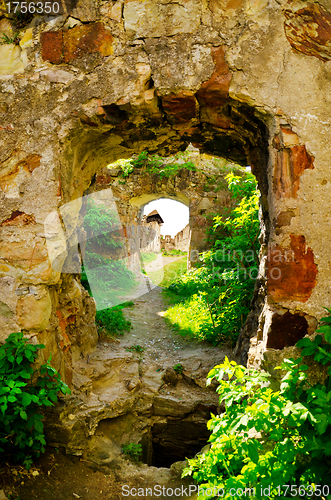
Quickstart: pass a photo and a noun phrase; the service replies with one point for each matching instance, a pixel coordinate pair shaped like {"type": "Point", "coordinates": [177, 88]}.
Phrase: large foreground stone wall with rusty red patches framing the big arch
{"type": "Point", "coordinates": [247, 80]}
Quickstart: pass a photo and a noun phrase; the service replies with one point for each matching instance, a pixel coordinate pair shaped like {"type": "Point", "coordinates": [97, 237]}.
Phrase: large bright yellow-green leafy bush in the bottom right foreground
{"type": "Point", "coordinates": [273, 443]}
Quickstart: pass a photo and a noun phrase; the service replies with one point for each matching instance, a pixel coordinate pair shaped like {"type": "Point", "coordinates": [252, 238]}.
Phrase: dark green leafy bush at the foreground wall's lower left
{"type": "Point", "coordinates": [23, 393]}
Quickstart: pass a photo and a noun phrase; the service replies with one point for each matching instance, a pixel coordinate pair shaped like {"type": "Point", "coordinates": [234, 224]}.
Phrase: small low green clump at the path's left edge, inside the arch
{"type": "Point", "coordinates": [112, 321]}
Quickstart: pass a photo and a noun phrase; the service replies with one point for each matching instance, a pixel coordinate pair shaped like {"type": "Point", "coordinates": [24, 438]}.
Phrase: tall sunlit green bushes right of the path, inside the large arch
{"type": "Point", "coordinates": [213, 299]}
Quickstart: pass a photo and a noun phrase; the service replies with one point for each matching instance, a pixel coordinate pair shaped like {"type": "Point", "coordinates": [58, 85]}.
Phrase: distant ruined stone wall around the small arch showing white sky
{"type": "Point", "coordinates": [204, 191]}
